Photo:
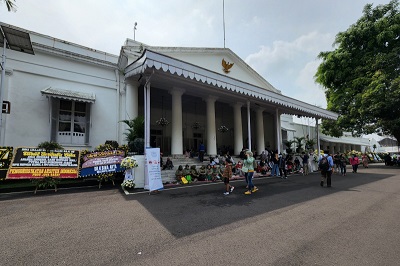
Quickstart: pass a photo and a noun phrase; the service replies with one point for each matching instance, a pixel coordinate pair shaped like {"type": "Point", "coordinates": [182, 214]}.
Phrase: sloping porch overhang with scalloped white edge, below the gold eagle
{"type": "Point", "coordinates": [167, 73]}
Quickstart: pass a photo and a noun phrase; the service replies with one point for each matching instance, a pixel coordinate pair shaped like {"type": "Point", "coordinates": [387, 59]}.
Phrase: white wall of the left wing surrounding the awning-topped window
{"type": "Point", "coordinates": [28, 124]}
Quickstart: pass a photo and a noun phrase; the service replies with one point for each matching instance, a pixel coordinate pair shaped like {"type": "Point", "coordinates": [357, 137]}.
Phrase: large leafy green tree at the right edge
{"type": "Point", "coordinates": [361, 76]}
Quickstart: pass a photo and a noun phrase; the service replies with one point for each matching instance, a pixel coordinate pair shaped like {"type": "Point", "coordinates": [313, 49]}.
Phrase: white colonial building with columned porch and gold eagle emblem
{"type": "Point", "coordinates": [77, 96]}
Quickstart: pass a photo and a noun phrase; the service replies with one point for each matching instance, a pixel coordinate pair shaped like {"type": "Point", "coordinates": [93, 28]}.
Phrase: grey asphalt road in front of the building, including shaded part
{"type": "Point", "coordinates": [287, 222]}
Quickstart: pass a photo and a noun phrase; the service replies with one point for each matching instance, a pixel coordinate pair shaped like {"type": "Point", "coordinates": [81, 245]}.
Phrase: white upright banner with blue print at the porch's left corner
{"type": "Point", "coordinates": [153, 179]}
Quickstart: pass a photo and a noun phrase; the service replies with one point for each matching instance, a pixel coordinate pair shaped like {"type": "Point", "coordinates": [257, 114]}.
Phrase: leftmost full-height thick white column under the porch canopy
{"type": "Point", "coordinates": [176, 132]}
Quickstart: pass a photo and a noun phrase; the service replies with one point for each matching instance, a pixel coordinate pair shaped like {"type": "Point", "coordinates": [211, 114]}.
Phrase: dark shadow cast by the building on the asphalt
{"type": "Point", "coordinates": [194, 209]}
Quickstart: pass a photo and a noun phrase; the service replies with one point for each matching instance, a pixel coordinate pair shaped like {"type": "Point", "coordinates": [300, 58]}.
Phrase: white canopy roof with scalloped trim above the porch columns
{"type": "Point", "coordinates": [151, 61]}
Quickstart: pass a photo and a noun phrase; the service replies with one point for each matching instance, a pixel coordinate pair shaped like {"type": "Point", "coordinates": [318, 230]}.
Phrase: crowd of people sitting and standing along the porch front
{"type": "Point", "coordinates": [223, 167]}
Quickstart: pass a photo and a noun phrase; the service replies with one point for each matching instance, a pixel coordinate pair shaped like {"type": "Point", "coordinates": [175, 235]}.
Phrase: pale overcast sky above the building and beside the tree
{"type": "Point", "coordinates": [280, 39]}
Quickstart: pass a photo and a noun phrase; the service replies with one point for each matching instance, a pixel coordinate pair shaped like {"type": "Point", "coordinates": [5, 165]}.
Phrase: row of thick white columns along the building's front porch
{"type": "Point", "coordinates": [211, 144]}
